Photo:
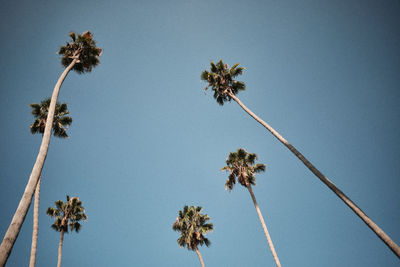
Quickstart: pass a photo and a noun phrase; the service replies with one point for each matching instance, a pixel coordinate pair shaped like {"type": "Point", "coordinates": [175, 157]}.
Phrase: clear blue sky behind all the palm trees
{"type": "Point", "coordinates": [146, 140]}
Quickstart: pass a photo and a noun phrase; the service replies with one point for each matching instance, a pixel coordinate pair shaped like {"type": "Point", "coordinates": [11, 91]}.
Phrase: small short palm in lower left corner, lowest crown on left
{"type": "Point", "coordinates": [66, 214]}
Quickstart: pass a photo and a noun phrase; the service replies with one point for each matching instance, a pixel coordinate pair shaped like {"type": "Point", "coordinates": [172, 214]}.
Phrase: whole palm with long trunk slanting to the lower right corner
{"type": "Point", "coordinates": [221, 79]}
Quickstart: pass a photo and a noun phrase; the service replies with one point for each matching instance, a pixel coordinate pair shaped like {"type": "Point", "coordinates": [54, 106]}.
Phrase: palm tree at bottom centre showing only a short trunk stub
{"type": "Point", "coordinates": [193, 226]}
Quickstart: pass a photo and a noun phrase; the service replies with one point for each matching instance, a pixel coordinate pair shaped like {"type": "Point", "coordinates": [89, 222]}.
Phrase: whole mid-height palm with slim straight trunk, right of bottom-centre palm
{"type": "Point", "coordinates": [240, 166]}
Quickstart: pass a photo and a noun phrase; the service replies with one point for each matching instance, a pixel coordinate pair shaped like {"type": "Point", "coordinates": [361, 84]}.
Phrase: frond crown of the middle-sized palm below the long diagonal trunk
{"type": "Point", "coordinates": [240, 165]}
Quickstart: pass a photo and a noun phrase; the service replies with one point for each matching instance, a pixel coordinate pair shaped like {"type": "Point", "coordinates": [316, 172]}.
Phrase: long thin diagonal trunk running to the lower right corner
{"type": "Point", "coordinates": [377, 230]}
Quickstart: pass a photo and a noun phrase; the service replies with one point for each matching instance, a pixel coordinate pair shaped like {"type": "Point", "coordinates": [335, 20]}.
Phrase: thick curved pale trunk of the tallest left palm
{"type": "Point", "coordinates": [25, 202]}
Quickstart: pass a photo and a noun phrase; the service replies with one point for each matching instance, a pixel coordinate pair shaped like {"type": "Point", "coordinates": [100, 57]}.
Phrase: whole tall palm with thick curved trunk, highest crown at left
{"type": "Point", "coordinates": [80, 55]}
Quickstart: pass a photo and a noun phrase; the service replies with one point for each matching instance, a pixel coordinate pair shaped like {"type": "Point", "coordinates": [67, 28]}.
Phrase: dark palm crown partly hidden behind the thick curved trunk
{"type": "Point", "coordinates": [60, 123]}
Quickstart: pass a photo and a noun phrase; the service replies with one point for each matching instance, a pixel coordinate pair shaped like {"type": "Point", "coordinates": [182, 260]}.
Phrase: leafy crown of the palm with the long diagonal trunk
{"type": "Point", "coordinates": [220, 79]}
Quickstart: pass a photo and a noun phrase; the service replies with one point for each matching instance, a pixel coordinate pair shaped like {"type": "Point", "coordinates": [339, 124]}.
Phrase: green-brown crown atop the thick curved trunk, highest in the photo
{"type": "Point", "coordinates": [83, 48]}
